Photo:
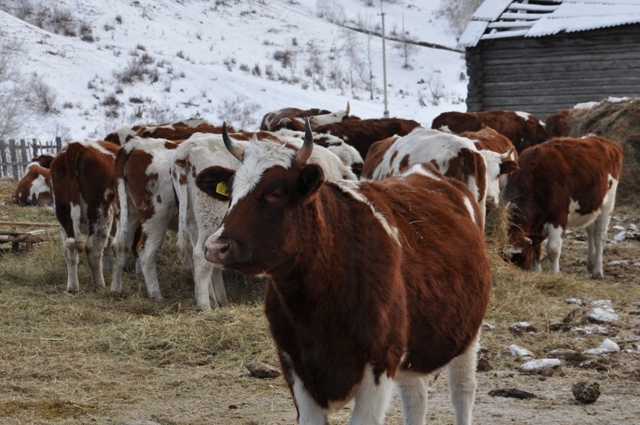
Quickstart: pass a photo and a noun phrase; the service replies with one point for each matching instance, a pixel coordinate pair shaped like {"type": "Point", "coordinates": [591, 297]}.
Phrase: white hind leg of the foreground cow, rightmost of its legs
{"type": "Point", "coordinates": [462, 383]}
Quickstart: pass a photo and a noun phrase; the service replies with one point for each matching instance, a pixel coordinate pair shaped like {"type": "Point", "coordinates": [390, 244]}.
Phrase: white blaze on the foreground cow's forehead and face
{"type": "Point", "coordinates": [259, 157]}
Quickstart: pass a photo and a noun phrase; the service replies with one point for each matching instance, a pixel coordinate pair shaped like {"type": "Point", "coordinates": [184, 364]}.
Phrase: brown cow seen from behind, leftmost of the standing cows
{"type": "Point", "coordinates": [83, 182]}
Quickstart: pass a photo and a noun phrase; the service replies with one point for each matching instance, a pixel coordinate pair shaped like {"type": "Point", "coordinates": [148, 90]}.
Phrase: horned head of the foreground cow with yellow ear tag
{"type": "Point", "coordinates": [267, 196]}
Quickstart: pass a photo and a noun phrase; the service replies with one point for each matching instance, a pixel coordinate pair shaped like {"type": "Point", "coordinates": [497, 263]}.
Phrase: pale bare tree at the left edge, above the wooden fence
{"type": "Point", "coordinates": [15, 92]}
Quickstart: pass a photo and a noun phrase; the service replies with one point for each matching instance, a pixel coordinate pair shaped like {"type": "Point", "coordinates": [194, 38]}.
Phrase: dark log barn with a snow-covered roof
{"type": "Point", "coordinates": [542, 56]}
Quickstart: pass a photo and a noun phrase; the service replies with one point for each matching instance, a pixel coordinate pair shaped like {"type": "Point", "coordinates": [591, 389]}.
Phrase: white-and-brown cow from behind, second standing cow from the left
{"type": "Point", "coordinates": [145, 199]}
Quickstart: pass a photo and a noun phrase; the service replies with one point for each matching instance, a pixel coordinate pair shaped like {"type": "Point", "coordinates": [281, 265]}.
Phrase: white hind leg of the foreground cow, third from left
{"type": "Point", "coordinates": [413, 389]}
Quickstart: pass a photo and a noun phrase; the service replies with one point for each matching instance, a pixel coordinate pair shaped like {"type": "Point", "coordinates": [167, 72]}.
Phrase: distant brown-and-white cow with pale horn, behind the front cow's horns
{"type": "Point", "coordinates": [283, 118]}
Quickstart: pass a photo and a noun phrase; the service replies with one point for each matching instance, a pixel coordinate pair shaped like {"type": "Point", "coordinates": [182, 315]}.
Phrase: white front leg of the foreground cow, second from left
{"type": "Point", "coordinates": [372, 400]}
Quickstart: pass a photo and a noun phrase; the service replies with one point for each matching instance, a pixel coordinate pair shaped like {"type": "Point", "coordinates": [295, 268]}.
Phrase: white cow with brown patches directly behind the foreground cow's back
{"type": "Point", "coordinates": [453, 155]}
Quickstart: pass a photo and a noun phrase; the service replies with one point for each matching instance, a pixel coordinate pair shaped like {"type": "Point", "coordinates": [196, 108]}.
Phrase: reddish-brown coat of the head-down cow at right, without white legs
{"type": "Point", "coordinates": [550, 175]}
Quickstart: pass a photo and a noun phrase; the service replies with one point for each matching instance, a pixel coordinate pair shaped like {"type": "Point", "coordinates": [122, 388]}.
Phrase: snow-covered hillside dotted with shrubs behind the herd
{"type": "Point", "coordinates": [162, 60]}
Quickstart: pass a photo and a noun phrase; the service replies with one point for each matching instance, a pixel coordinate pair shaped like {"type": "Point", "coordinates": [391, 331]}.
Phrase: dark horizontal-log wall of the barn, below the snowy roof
{"type": "Point", "coordinates": [547, 74]}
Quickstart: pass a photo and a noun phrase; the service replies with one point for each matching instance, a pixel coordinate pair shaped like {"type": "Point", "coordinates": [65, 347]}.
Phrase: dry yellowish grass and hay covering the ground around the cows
{"type": "Point", "coordinates": [95, 357]}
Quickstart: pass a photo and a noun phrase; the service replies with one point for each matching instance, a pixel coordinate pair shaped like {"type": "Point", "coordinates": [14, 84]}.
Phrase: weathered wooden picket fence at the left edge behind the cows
{"type": "Point", "coordinates": [16, 155]}
